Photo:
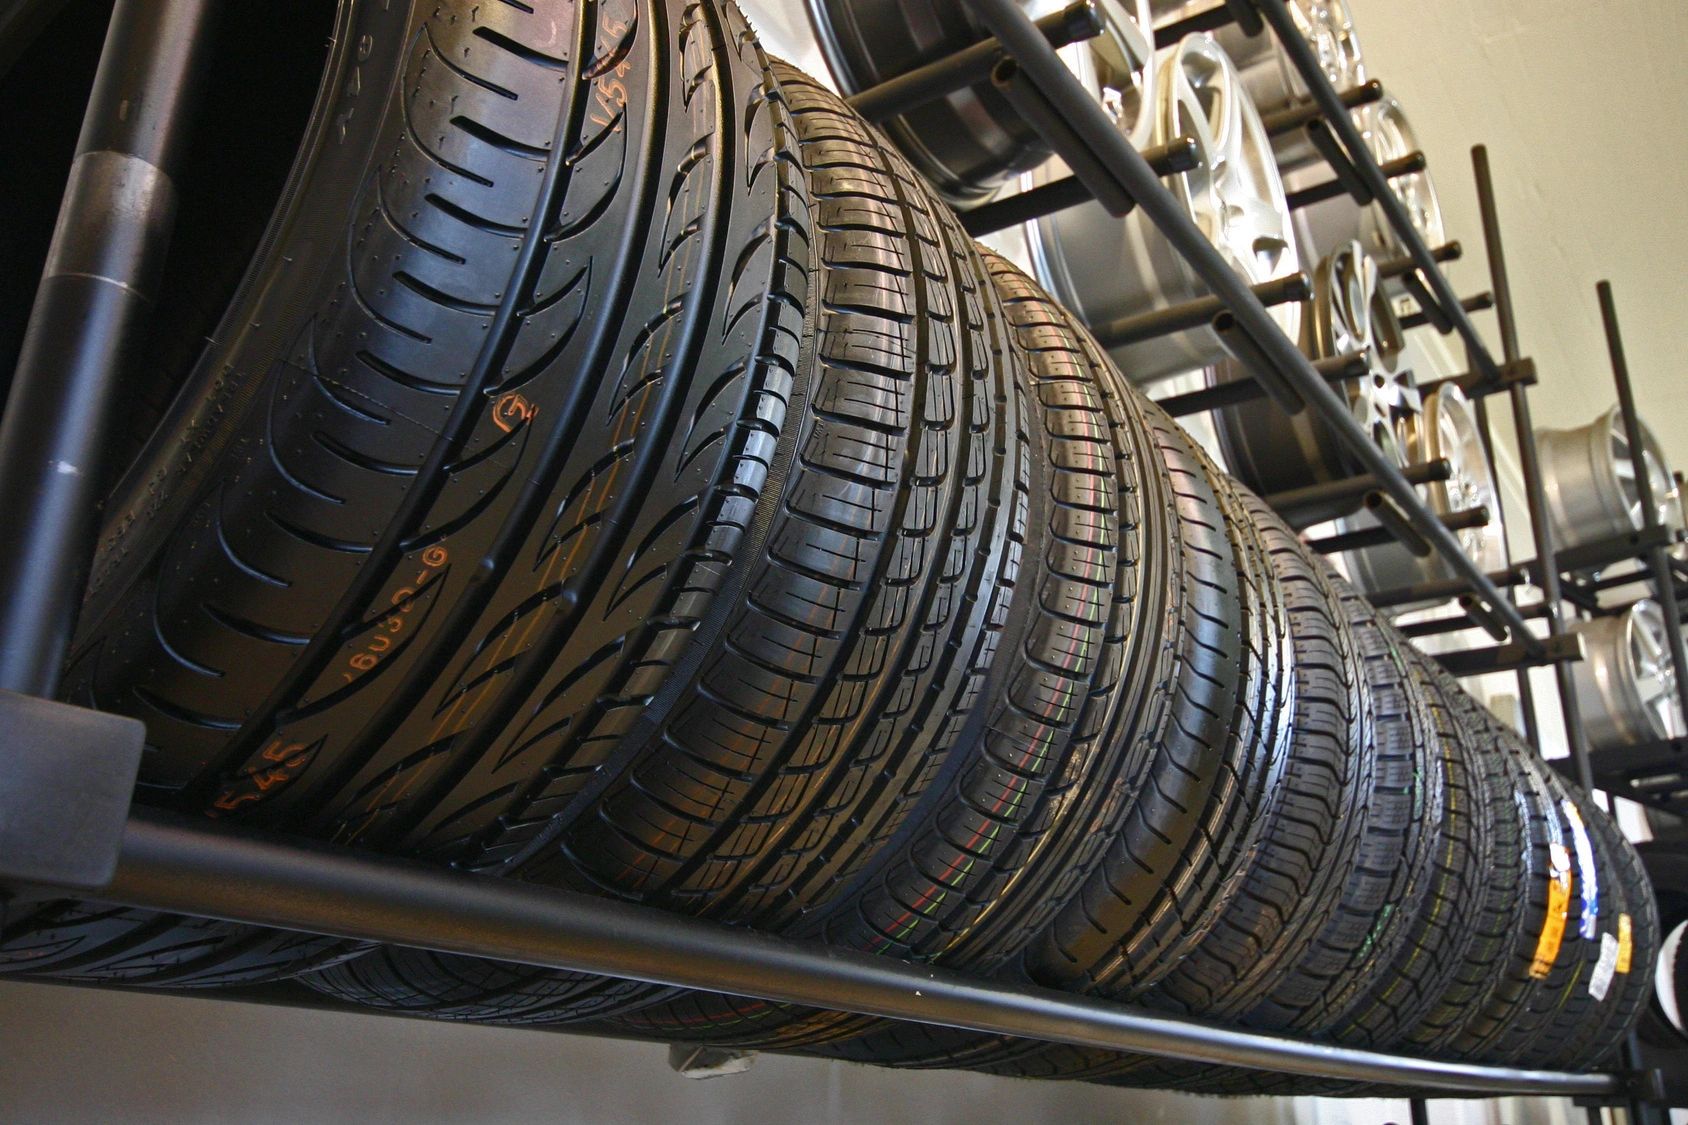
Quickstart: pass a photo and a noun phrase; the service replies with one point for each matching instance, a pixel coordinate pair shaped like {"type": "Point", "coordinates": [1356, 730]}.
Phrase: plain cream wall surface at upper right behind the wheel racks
{"type": "Point", "coordinates": [1584, 107]}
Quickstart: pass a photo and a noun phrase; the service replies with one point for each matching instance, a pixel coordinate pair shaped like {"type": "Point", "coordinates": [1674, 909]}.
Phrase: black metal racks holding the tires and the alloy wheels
{"type": "Point", "coordinates": [149, 861]}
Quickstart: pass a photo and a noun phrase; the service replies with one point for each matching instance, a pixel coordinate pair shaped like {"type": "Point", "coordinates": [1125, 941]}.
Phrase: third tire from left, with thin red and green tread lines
{"type": "Point", "coordinates": [1044, 734]}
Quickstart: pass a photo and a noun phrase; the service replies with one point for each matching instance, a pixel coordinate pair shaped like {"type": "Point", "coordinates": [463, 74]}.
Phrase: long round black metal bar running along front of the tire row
{"type": "Point", "coordinates": [181, 866]}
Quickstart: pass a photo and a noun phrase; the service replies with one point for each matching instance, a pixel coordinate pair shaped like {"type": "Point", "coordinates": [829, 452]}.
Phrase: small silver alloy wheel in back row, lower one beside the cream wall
{"type": "Point", "coordinates": [1388, 136]}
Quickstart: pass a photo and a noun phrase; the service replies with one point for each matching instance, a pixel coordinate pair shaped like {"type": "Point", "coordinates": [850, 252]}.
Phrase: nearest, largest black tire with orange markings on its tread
{"type": "Point", "coordinates": [372, 582]}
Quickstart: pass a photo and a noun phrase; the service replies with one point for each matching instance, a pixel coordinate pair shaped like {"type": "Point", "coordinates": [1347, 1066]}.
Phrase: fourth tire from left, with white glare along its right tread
{"type": "Point", "coordinates": [1127, 883]}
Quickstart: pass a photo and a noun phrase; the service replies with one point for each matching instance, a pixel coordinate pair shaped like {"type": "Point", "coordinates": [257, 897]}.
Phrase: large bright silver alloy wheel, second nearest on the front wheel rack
{"type": "Point", "coordinates": [1106, 268]}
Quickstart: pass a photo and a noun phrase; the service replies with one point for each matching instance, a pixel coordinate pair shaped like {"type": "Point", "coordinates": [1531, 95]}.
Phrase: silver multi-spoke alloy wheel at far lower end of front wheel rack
{"type": "Point", "coordinates": [1447, 428]}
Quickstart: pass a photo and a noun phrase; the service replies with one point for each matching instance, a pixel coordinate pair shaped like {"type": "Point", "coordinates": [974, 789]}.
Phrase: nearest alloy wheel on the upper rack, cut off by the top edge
{"type": "Point", "coordinates": [971, 143]}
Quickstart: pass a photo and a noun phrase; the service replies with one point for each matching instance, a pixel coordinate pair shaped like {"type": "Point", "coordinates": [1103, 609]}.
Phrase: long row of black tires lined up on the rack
{"type": "Point", "coordinates": [642, 486]}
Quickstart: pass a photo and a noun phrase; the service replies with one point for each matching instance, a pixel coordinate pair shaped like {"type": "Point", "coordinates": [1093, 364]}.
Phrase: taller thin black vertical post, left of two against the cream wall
{"type": "Point", "coordinates": [1530, 464]}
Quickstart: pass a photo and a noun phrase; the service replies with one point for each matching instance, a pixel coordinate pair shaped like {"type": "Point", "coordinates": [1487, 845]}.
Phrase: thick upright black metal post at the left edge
{"type": "Point", "coordinates": [95, 298]}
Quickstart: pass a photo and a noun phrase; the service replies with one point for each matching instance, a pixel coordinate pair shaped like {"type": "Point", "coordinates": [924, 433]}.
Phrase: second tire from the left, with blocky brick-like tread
{"type": "Point", "coordinates": [799, 747]}
